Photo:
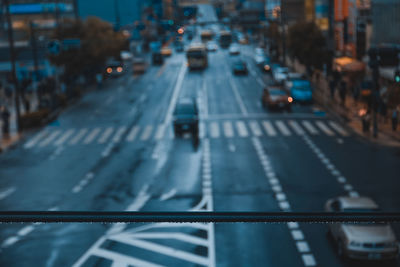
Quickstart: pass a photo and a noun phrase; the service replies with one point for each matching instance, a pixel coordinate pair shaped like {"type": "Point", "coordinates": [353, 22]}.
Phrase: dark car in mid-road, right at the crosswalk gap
{"type": "Point", "coordinates": [185, 117]}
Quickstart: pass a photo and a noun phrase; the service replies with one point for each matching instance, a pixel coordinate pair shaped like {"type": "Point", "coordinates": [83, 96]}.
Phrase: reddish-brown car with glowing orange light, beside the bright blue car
{"type": "Point", "coordinates": [274, 97]}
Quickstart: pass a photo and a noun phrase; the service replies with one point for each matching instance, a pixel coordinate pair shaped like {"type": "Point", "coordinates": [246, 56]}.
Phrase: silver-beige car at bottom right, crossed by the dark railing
{"type": "Point", "coordinates": [361, 241]}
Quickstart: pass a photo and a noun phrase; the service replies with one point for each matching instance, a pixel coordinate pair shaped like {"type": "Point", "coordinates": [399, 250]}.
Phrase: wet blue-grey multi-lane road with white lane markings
{"type": "Point", "coordinates": [115, 150]}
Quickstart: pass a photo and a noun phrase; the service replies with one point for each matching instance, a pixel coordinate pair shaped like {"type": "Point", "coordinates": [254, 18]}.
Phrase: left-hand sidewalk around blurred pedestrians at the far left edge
{"type": "Point", "coordinates": [6, 143]}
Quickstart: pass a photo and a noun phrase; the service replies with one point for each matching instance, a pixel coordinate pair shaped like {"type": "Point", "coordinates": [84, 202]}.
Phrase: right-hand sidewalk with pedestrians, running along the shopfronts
{"type": "Point", "coordinates": [350, 114]}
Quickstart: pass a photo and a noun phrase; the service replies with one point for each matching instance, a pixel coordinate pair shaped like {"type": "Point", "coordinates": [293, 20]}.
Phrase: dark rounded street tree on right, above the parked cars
{"type": "Point", "coordinates": [307, 44]}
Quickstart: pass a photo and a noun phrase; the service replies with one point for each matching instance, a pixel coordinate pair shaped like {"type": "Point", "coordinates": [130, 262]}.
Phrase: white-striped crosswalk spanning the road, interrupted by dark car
{"type": "Point", "coordinates": [208, 129]}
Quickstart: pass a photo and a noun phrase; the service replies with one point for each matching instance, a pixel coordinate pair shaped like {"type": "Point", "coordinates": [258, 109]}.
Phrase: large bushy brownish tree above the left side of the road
{"type": "Point", "coordinates": [98, 42]}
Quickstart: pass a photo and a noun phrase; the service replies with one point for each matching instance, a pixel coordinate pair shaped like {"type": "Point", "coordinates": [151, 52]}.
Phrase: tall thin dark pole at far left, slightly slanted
{"type": "Point", "coordinates": [12, 59]}
